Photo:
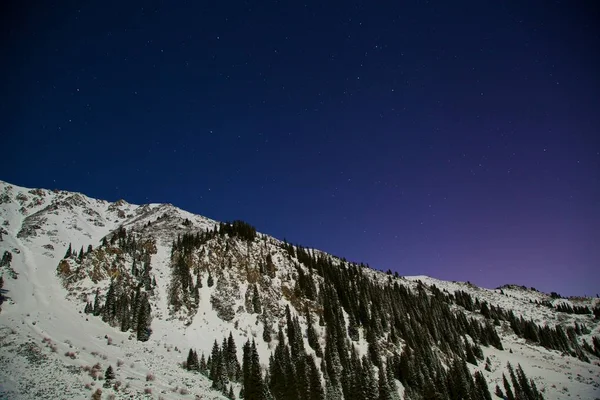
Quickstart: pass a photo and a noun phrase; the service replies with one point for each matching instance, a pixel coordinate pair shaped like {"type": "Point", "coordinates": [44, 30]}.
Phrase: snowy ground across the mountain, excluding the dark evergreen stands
{"type": "Point", "coordinates": [44, 320]}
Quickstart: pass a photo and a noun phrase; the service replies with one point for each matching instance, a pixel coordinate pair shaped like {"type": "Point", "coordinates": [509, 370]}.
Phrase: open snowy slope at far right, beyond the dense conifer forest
{"type": "Point", "coordinates": [560, 376]}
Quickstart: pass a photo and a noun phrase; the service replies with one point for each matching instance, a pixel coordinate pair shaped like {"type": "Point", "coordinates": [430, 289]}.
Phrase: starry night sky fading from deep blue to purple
{"type": "Point", "coordinates": [454, 139]}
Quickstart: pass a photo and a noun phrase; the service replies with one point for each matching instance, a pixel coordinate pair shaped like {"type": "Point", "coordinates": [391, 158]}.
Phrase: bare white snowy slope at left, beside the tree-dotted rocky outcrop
{"type": "Point", "coordinates": [49, 347]}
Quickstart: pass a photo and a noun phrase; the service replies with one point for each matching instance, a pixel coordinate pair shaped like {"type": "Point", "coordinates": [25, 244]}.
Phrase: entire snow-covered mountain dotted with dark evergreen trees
{"type": "Point", "coordinates": [203, 280]}
